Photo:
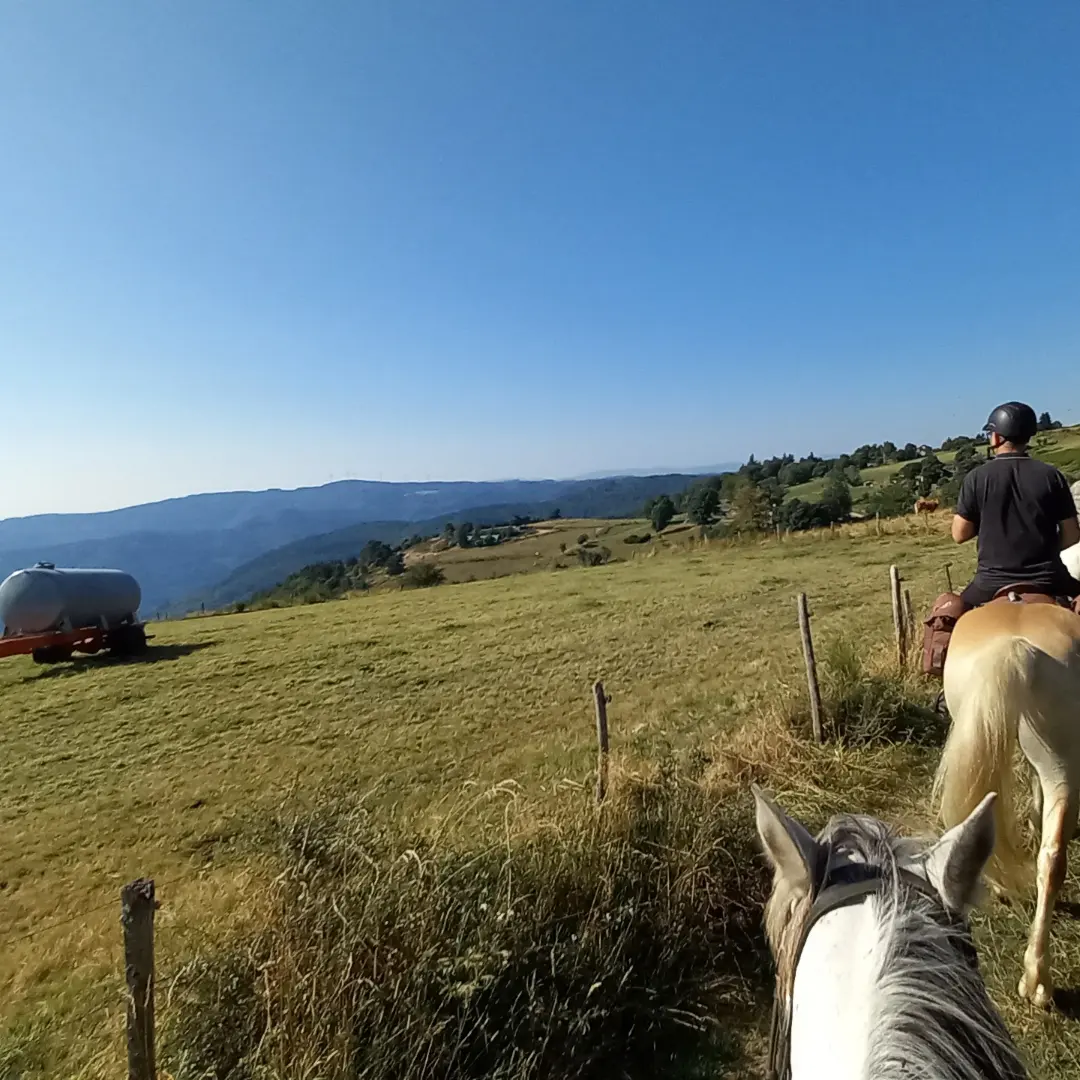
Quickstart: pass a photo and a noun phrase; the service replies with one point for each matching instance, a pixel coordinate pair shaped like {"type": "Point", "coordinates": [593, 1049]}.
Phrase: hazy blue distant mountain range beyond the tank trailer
{"type": "Point", "coordinates": [219, 548]}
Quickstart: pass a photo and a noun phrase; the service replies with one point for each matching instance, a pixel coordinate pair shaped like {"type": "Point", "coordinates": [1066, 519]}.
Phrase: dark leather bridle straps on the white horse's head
{"type": "Point", "coordinates": [844, 887]}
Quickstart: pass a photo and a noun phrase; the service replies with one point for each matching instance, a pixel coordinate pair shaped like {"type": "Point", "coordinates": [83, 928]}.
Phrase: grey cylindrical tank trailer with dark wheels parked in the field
{"type": "Point", "coordinates": [44, 601]}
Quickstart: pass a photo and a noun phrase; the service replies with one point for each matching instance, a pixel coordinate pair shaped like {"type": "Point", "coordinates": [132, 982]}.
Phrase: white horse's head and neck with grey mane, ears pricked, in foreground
{"type": "Point", "coordinates": [876, 973]}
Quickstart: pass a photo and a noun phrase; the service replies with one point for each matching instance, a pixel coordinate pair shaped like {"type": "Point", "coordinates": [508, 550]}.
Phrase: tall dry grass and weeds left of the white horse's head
{"type": "Point", "coordinates": [573, 943]}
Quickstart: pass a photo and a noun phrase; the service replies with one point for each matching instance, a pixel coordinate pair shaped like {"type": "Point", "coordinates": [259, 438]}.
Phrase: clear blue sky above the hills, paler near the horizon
{"type": "Point", "coordinates": [252, 245]}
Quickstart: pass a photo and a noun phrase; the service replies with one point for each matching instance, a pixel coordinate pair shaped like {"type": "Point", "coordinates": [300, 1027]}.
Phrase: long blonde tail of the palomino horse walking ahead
{"type": "Point", "coordinates": [993, 686]}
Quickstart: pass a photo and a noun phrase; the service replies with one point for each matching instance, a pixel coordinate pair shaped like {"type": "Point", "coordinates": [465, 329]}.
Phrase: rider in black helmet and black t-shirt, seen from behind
{"type": "Point", "coordinates": [1022, 511]}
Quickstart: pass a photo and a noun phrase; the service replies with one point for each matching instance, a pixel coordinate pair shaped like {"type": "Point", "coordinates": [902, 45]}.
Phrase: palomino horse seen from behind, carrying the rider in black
{"type": "Point", "coordinates": [1012, 676]}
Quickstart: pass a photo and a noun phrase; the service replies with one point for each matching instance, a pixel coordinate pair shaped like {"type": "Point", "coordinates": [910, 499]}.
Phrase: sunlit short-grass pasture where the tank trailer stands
{"type": "Point", "coordinates": [170, 767]}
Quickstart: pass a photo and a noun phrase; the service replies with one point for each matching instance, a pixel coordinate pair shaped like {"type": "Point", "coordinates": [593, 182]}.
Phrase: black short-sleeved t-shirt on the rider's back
{"type": "Point", "coordinates": [1017, 504]}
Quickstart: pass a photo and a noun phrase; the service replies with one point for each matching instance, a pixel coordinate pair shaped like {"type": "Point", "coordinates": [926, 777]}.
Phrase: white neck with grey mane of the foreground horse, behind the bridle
{"type": "Point", "coordinates": [883, 992]}
